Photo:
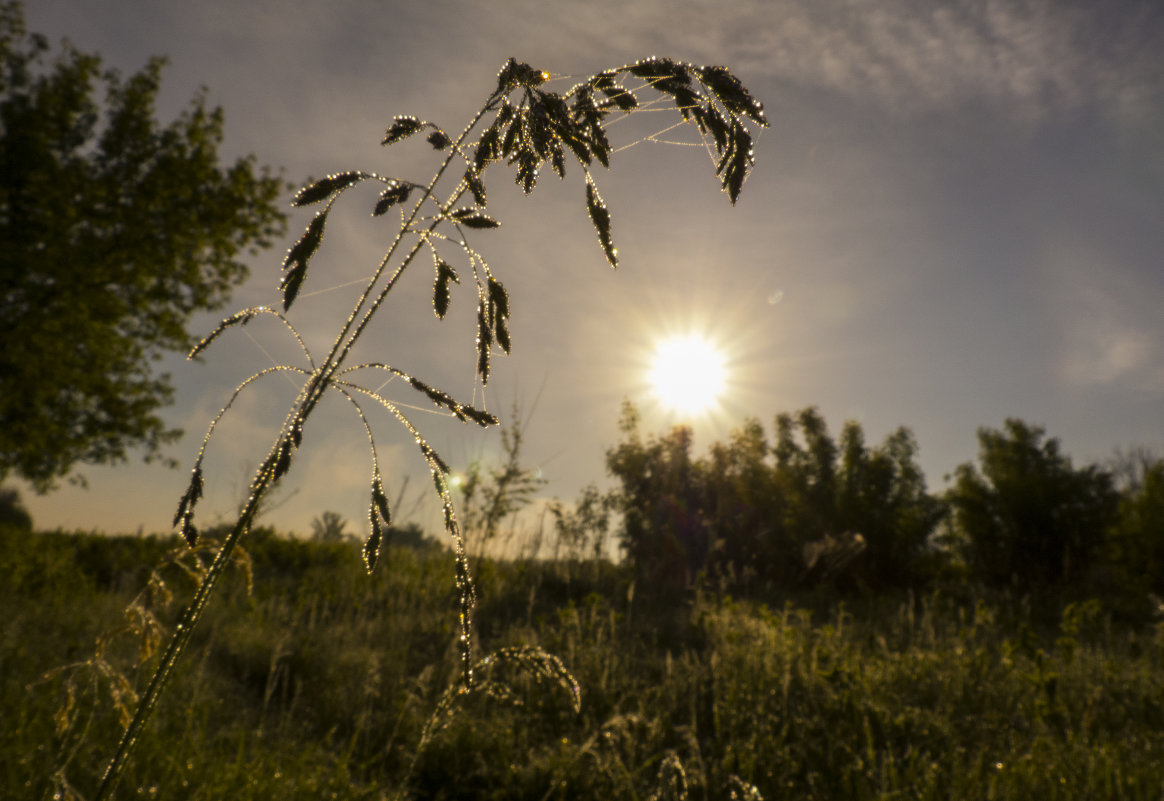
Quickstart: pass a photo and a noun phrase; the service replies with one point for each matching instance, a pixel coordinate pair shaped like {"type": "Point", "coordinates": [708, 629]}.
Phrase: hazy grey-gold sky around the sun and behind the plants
{"type": "Point", "coordinates": [955, 218]}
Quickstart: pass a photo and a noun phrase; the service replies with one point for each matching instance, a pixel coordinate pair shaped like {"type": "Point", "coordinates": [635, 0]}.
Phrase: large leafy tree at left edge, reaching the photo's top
{"type": "Point", "coordinates": [113, 231]}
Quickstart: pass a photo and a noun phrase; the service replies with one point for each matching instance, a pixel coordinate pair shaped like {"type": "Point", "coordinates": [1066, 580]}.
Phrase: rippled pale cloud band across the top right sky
{"type": "Point", "coordinates": [1038, 56]}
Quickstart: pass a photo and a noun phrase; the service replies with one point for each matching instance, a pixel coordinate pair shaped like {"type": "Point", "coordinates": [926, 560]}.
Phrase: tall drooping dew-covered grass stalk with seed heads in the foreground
{"type": "Point", "coordinates": [524, 126]}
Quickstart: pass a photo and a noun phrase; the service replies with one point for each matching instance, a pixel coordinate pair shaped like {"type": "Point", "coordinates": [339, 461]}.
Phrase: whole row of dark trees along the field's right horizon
{"type": "Point", "coordinates": [807, 508]}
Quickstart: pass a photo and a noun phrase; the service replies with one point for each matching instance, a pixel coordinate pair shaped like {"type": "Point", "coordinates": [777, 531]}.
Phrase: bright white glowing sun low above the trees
{"type": "Point", "coordinates": [687, 374]}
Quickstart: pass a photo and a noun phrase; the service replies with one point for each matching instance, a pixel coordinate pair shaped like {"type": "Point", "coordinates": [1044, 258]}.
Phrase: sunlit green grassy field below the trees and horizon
{"type": "Point", "coordinates": [318, 683]}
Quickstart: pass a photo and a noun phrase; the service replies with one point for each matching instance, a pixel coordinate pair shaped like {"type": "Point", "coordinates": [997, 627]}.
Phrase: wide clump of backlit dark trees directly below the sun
{"type": "Point", "coordinates": [753, 515]}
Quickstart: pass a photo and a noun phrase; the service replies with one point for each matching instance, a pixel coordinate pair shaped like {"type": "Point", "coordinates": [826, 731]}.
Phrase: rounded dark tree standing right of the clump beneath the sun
{"type": "Point", "coordinates": [1027, 515]}
